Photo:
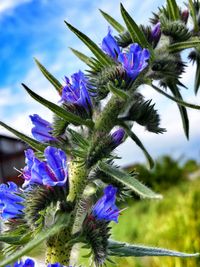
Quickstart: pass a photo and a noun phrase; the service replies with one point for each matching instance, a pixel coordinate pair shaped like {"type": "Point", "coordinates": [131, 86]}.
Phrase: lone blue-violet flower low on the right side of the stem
{"type": "Point", "coordinates": [105, 208]}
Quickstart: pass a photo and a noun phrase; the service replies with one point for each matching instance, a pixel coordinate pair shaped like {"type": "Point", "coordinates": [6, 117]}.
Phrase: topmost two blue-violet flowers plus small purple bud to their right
{"type": "Point", "coordinates": [134, 61]}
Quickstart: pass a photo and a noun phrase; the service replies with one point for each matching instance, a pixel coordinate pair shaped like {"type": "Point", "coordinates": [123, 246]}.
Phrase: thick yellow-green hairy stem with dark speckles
{"type": "Point", "coordinates": [58, 247]}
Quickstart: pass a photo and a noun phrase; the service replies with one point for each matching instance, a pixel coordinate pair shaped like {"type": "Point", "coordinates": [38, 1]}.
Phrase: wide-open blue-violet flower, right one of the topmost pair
{"type": "Point", "coordinates": [135, 60]}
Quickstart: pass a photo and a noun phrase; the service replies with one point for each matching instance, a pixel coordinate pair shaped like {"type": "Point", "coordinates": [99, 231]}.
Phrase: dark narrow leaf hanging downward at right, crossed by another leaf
{"type": "Point", "coordinates": [184, 116]}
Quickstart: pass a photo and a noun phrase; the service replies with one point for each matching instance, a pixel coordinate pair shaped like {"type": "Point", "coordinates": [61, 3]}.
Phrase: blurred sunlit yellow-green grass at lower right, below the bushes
{"type": "Point", "coordinates": [172, 223]}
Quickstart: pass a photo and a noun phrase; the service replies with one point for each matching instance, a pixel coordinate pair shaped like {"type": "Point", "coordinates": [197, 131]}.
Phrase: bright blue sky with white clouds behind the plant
{"type": "Point", "coordinates": [35, 28]}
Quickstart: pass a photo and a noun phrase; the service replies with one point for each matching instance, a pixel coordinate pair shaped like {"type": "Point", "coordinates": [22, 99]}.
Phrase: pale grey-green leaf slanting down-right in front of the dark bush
{"type": "Point", "coordinates": [128, 180]}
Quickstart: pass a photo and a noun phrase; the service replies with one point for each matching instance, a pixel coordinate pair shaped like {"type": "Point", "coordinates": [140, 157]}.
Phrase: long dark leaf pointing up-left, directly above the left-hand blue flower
{"type": "Point", "coordinates": [66, 115]}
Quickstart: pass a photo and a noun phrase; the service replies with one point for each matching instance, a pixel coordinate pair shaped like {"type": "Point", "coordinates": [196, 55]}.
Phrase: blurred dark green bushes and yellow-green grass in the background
{"type": "Point", "coordinates": [172, 223]}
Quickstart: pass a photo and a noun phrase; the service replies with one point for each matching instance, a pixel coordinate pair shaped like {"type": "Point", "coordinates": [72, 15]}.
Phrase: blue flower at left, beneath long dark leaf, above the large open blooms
{"type": "Point", "coordinates": [42, 130]}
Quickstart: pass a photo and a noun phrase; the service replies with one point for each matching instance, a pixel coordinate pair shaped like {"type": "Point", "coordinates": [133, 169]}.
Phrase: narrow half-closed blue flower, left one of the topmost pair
{"type": "Point", "coordinates": [110, 46]}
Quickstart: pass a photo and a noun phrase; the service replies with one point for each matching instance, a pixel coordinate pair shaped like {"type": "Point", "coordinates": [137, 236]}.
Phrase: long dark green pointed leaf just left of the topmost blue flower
{"type": "Point", "coordinates": [99, 54]}
